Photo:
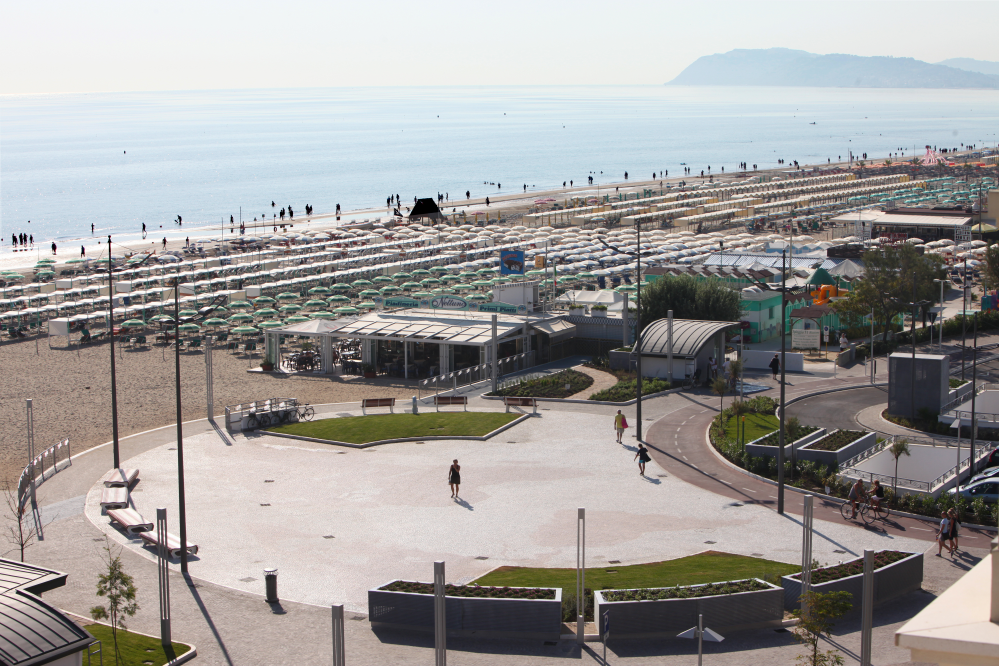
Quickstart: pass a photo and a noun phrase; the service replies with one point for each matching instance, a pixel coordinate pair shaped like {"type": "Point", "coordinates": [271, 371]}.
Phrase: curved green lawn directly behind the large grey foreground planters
{"type": "Point", "coordinates": [708, 567]}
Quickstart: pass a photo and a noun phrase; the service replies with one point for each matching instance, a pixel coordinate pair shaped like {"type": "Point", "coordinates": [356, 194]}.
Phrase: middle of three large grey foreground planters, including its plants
{"type": "Point", "coordinates": [665, 612]}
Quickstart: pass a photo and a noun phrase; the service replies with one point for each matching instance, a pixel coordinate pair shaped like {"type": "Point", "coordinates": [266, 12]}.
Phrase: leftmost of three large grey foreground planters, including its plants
{"type": "Point", "coordinates": [471, 610]}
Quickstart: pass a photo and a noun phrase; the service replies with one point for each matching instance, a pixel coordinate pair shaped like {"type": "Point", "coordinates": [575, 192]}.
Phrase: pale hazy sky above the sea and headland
{"type": "Point", "coordinates": [68, 45]}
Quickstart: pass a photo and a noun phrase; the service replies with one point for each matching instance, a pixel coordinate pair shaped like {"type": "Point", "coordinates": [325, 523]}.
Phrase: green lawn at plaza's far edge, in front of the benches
{"type": "Point", "coordinates": [364, 429]}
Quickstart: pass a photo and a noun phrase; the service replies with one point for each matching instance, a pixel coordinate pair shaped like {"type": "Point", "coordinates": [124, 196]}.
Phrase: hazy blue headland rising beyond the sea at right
{"type": "Point", "coordinates": [788, 67]}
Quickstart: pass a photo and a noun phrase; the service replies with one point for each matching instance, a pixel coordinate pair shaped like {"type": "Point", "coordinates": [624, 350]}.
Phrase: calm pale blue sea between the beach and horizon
{"type": "Point", "coordinates": [117, 160]}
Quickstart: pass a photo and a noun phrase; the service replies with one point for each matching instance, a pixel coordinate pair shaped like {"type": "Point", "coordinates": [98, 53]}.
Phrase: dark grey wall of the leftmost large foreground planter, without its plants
{"type": "Point", "coordinates": [469, 616]}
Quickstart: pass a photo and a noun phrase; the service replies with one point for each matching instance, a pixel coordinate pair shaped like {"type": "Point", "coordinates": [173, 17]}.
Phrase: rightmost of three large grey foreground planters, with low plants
{"type": "Point", "coordinates": [895, 573]}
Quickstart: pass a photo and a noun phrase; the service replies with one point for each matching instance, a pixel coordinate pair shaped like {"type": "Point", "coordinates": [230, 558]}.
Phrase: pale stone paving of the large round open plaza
{"type": "Point", "coordinates": [391, 515]}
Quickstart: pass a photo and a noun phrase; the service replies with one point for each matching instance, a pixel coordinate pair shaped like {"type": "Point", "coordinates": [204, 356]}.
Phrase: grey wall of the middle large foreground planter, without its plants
{"type": "Point", "coordinates": [668, 617]}
